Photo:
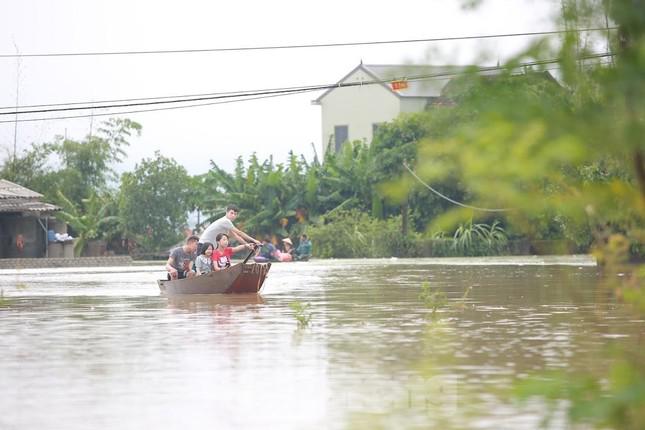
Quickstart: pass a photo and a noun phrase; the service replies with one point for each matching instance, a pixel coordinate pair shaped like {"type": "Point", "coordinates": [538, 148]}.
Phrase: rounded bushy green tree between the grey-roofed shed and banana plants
{"type": "Point", "coordinates": [154, 202]}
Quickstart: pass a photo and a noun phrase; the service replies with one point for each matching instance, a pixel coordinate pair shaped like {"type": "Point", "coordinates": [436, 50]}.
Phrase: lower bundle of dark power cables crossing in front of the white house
{"type": "Point", "coordinates": [249, 95]}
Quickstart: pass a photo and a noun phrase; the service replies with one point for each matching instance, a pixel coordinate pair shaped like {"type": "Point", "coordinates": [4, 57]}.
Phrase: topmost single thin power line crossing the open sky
{"type": "Point", "coordinates": [301, 46]}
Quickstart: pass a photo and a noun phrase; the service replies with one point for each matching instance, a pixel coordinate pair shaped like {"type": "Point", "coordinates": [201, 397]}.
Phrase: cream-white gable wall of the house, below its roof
{"type": "Point", "coordinates": [357, 107]}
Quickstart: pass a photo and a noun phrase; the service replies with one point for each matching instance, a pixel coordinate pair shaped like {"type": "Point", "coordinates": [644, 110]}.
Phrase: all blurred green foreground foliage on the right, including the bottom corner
{"type": "Point", "coordinates": [573, 161]}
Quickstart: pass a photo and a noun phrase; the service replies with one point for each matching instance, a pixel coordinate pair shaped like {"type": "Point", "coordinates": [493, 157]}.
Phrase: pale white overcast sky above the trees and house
{"type": "Point", "coordinates": [220, 133]}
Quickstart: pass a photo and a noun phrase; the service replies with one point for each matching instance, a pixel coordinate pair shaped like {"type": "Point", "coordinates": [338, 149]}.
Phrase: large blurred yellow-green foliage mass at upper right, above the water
{"type": "Point", "coordinates": [568, 157]}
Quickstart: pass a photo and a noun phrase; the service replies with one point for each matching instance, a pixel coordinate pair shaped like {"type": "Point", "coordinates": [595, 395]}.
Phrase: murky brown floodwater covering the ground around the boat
{"type": "Point", "coordinates": [99, 348]}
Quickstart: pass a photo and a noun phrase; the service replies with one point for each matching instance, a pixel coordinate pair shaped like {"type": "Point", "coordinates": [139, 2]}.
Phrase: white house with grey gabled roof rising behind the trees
{"type": "Point", "coordinates": [354, 112]}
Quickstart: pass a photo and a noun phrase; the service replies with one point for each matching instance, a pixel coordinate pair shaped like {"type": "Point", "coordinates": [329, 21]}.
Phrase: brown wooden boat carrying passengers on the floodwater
{"type": "Point", "coordinates": [240, 278]}
